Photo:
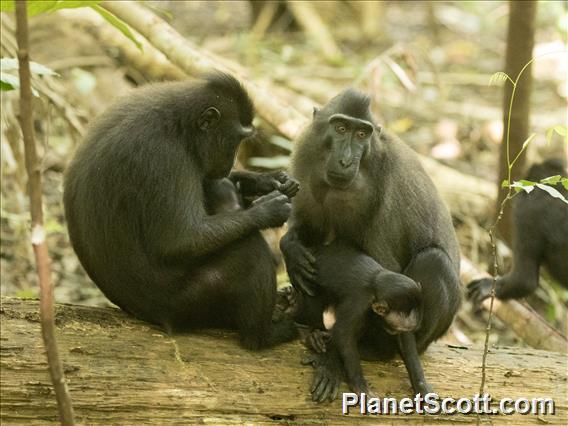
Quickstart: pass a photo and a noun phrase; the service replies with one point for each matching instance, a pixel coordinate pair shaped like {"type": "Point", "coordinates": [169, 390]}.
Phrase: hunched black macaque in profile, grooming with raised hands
{"type": "Point", "coordinates": [155, 225]}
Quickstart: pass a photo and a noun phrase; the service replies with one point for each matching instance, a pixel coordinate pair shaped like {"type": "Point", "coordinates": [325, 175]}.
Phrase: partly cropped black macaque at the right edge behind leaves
{"type": "Point", "coordinates": [540, 237]}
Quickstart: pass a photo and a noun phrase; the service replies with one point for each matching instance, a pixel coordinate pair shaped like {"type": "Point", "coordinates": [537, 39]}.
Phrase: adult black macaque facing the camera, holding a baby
{"type": "Point", "coordinates": [368, 189]}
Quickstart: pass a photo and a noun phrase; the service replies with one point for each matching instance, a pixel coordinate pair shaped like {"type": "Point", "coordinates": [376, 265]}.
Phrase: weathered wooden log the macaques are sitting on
{"type": "Point", "coordinates": [123, 371]}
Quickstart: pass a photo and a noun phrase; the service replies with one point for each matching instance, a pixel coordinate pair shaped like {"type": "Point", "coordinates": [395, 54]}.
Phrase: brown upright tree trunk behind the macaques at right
{"type": "Point", "coordinates": [520, 42]}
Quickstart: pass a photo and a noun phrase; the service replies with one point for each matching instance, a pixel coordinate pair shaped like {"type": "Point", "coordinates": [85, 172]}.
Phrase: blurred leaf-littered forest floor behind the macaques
{"type": "Point", "coordinates": [428, 71]}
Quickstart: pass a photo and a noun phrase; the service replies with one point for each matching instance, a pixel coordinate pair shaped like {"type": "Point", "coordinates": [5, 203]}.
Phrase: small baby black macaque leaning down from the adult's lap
{"type": "Point", "coordinates": [362, 297]}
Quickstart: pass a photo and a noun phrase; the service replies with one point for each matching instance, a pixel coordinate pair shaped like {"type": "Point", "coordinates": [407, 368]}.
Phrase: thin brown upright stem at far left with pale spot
{"type": "Point", "coordinates": [38, 233]}
